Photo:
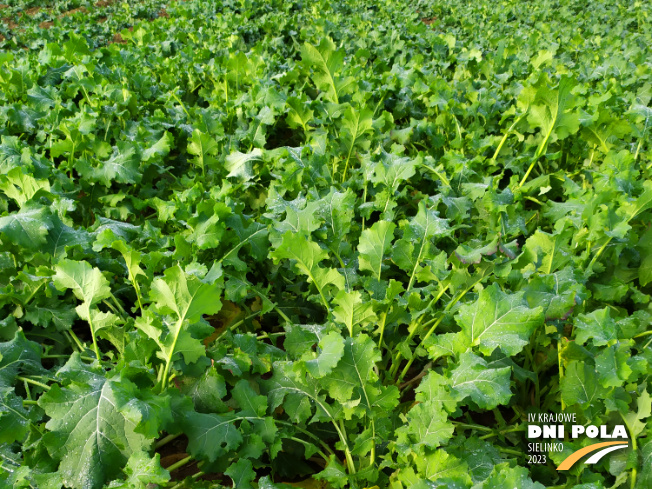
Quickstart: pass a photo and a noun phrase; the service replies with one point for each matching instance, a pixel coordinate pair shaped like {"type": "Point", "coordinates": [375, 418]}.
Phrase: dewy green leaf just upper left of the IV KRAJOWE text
{"type": "Point", "coordinates": [487, 387]}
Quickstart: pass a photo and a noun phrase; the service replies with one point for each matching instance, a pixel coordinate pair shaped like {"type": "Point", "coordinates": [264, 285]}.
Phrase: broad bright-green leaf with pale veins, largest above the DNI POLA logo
{"type": "Point", "coordinates": [499, 320]}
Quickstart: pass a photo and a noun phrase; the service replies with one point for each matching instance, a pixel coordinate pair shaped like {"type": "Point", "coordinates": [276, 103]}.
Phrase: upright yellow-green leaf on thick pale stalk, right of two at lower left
{"type": "Point", "coordinates": [174, 319]}
